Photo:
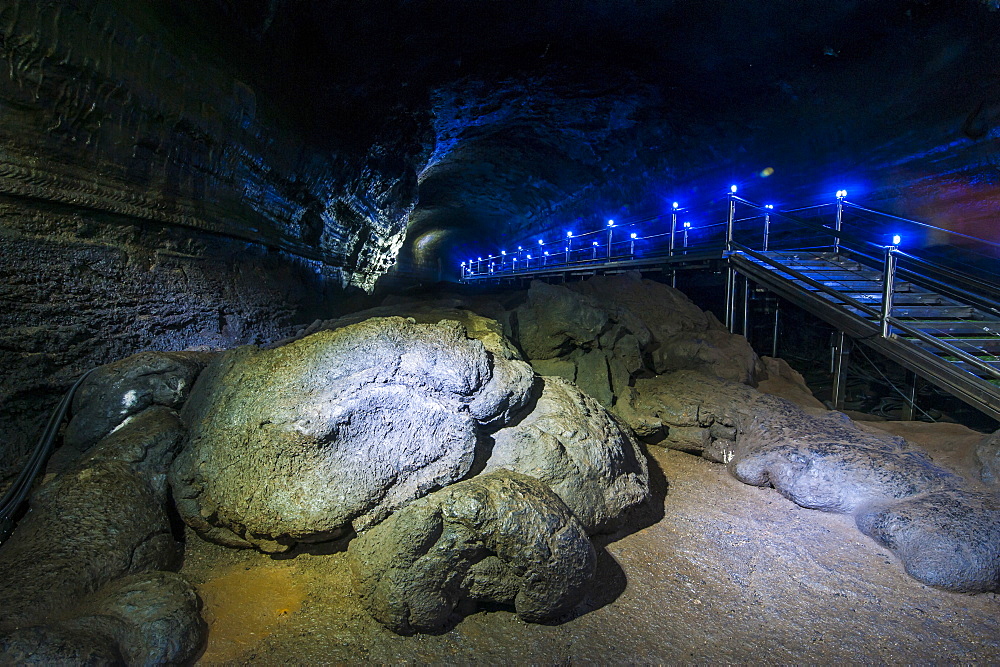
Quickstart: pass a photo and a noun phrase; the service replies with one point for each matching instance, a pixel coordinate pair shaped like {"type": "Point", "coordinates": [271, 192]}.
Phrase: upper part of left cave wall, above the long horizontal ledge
{"type": "Point", "coordinates": [109, 106]}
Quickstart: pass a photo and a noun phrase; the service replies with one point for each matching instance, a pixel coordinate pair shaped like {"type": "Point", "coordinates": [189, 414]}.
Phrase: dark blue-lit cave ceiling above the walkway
{"type": "Point", "coordinates": [483, 122]}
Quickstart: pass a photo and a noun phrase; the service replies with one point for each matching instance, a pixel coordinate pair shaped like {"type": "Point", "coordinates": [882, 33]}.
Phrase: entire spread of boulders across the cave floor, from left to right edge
{"type": "Point", "coordinates": [469, 458]}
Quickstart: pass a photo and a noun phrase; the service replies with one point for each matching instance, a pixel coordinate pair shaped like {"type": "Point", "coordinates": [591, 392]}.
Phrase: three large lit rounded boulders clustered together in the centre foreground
{"type": "Point", "coordinates": [411, 433]}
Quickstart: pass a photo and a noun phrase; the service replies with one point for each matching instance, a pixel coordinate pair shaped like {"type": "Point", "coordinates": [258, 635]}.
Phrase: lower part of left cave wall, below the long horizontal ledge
{"type": "Point", "coordinates": [79, 289]}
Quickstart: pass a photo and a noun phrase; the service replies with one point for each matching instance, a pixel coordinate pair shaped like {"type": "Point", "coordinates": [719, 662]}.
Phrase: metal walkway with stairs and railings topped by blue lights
{"type": "Point", "coordinates": [938, 316]}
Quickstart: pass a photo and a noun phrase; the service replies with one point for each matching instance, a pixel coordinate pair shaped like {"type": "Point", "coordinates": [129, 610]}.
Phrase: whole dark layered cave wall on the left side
{"type": "Point", "coordinates": [151, 198]}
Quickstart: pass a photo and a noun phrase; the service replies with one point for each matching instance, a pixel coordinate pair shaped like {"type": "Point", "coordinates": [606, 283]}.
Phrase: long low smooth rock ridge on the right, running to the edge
{"type": "Point", "coordinates": [944, 532]}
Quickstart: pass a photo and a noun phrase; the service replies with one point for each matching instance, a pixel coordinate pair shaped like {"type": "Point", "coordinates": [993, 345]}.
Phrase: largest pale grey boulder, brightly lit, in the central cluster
{"type": "Point", "coordinates": [338, 429]}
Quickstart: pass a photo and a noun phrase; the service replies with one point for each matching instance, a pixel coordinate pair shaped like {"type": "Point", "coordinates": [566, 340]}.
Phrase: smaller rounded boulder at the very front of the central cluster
{"type": "Point", "coordinates": [502, 538]}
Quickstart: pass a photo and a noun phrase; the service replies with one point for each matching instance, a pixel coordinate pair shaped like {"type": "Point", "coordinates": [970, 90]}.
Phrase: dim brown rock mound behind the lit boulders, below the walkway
{"type": "Point", "coordinates": [608, 332]}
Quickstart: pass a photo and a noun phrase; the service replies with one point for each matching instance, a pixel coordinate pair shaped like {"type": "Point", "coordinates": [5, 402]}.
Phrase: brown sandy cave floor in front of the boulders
{"type": "Point", "coordinates": [728, 573]}
